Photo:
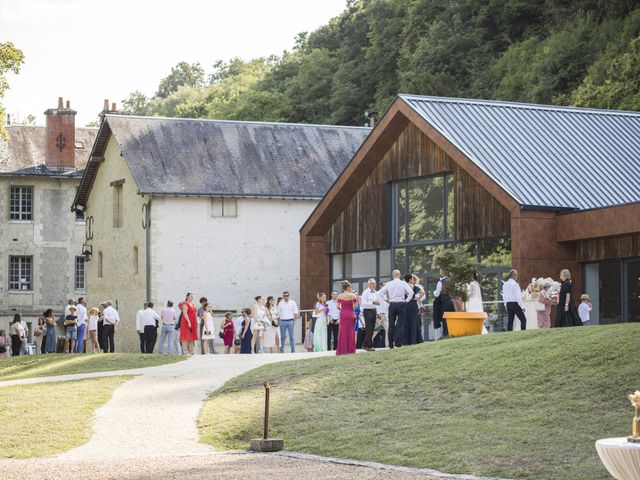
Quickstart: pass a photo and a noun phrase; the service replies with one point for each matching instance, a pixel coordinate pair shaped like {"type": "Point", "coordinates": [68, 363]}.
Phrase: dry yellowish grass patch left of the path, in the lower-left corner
{"type": "Point", "coordinates": [48, 418]}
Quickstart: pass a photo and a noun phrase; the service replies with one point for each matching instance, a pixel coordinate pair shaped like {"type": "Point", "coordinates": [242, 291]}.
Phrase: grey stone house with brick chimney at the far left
{"type": "Point", "coordinates": [40, 237]}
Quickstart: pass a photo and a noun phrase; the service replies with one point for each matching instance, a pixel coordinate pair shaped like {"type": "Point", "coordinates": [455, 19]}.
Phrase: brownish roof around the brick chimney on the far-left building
{"type": "Point", "coordinates": [23, 154]}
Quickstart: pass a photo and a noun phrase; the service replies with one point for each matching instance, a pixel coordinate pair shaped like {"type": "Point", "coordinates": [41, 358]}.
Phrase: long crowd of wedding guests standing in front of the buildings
{"type": "Point", "coordinates": [344, 323]}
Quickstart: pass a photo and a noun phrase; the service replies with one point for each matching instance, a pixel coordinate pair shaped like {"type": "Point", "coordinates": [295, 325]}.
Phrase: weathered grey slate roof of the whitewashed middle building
{"type": "Point", "coordinates": [173, 156]}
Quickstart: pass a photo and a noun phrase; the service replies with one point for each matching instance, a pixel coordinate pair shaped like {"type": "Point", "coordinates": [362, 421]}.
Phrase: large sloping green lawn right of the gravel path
{"type": "Point", "coordinates": [515, 405]}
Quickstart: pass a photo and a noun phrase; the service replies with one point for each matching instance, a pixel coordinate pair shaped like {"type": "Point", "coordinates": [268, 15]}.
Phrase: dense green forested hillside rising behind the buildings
{"type": "Point", "coordinates": [564, 52]}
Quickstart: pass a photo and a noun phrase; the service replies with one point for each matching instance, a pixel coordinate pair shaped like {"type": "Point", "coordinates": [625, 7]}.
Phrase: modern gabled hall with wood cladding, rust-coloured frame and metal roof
{"type": "Point", "coordinates": [535, 187]}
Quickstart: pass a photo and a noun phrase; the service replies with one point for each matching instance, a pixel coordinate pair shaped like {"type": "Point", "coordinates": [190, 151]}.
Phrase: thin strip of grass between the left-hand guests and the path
{"type": "Point", "coordinates": [30, 366]}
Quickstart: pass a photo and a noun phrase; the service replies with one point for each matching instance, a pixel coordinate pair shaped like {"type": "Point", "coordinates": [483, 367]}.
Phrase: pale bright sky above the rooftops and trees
{"type": "Point", "coordinates": [87, 50]}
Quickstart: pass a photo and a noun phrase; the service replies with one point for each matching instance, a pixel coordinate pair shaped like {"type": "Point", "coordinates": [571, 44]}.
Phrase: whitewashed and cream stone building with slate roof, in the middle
{"type": "Point", "coordinates": [203, 206]}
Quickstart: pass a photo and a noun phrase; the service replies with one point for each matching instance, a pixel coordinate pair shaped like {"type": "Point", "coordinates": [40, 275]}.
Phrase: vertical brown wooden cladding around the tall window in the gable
{"type": "Point", "coordinates": [364, 224]}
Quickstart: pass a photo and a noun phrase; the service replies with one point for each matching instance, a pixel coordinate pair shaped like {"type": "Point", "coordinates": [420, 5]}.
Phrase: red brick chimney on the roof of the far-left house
{"type": "Point", "coordinates": [60, 142]}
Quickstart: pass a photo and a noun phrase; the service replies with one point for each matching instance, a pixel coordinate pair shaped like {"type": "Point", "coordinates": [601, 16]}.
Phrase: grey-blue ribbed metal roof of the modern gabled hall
{"type": "Point", "coordinates": [544, 156]}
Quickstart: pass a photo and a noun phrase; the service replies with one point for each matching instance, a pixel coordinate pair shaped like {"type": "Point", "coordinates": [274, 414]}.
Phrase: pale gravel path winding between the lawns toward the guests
{"type": "Point", "coordinates": [148, 430]}
